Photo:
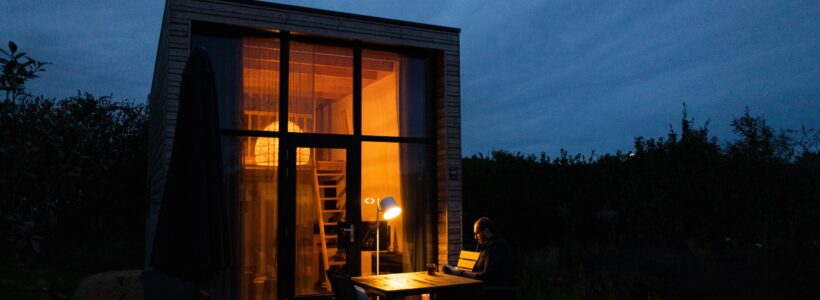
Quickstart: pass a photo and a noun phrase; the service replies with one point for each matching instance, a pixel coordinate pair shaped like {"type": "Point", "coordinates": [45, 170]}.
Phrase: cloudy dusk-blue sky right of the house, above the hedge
{"type": "Point", "coordinates": [605, 73]}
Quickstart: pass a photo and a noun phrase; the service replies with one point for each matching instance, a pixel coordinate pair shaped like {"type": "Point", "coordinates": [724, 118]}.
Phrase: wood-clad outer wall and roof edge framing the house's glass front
{"type": "Point", "coordinates": [172, 54]}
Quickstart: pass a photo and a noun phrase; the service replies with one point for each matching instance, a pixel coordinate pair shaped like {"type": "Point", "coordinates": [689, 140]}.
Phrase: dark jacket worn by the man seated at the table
{"type": "Point", "coordinates": [495, 263]}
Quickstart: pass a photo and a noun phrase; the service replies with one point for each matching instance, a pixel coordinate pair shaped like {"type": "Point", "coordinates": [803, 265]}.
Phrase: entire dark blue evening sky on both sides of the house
{"type": "Point", "coordinates": [536, 75]}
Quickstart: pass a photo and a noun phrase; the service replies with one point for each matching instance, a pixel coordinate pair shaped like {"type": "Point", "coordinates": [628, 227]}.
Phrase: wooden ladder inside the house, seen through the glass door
{"type": "Point", "coordinates": [329, 181]}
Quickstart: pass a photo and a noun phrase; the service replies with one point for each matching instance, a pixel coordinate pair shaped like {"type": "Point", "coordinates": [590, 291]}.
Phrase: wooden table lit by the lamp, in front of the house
{"type": "Point", "coordinates": [416, 283]}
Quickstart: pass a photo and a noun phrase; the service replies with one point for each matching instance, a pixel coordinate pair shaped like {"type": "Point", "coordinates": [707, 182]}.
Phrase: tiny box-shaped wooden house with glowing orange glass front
{"type": "Point", "coordinates": [321, 115]}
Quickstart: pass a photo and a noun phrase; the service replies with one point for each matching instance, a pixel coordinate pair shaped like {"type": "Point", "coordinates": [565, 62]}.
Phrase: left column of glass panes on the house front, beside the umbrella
{"type": "Point", "coordinates": [247, 80]}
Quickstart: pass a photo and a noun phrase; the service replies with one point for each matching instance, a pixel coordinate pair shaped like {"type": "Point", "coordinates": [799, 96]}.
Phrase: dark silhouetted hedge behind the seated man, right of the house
{"type": "Point", "coordinates": [751, 200]}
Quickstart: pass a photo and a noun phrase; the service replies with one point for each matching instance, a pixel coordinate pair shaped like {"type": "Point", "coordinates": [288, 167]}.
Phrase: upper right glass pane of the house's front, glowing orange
{"type": "Point", "coordinates": [394, 95]}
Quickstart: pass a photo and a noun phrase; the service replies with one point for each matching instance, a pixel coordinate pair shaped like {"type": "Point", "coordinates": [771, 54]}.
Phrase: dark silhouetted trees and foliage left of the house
{"type": "Point", "coordinates": [69, 168]}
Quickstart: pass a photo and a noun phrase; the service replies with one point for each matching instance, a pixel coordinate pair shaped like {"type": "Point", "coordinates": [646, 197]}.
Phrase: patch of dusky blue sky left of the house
{"type": "Point", "coordinates": [103, 47]}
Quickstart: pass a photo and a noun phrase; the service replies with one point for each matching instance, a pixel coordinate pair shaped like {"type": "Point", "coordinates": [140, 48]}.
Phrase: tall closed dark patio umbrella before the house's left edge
{"type": "Point", "coordinates": [192, 239]}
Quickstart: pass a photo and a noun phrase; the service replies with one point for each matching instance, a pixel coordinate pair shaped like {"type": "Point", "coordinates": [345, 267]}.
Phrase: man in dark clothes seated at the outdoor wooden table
{"type": "Point", "coordinates": [495, 264]}
